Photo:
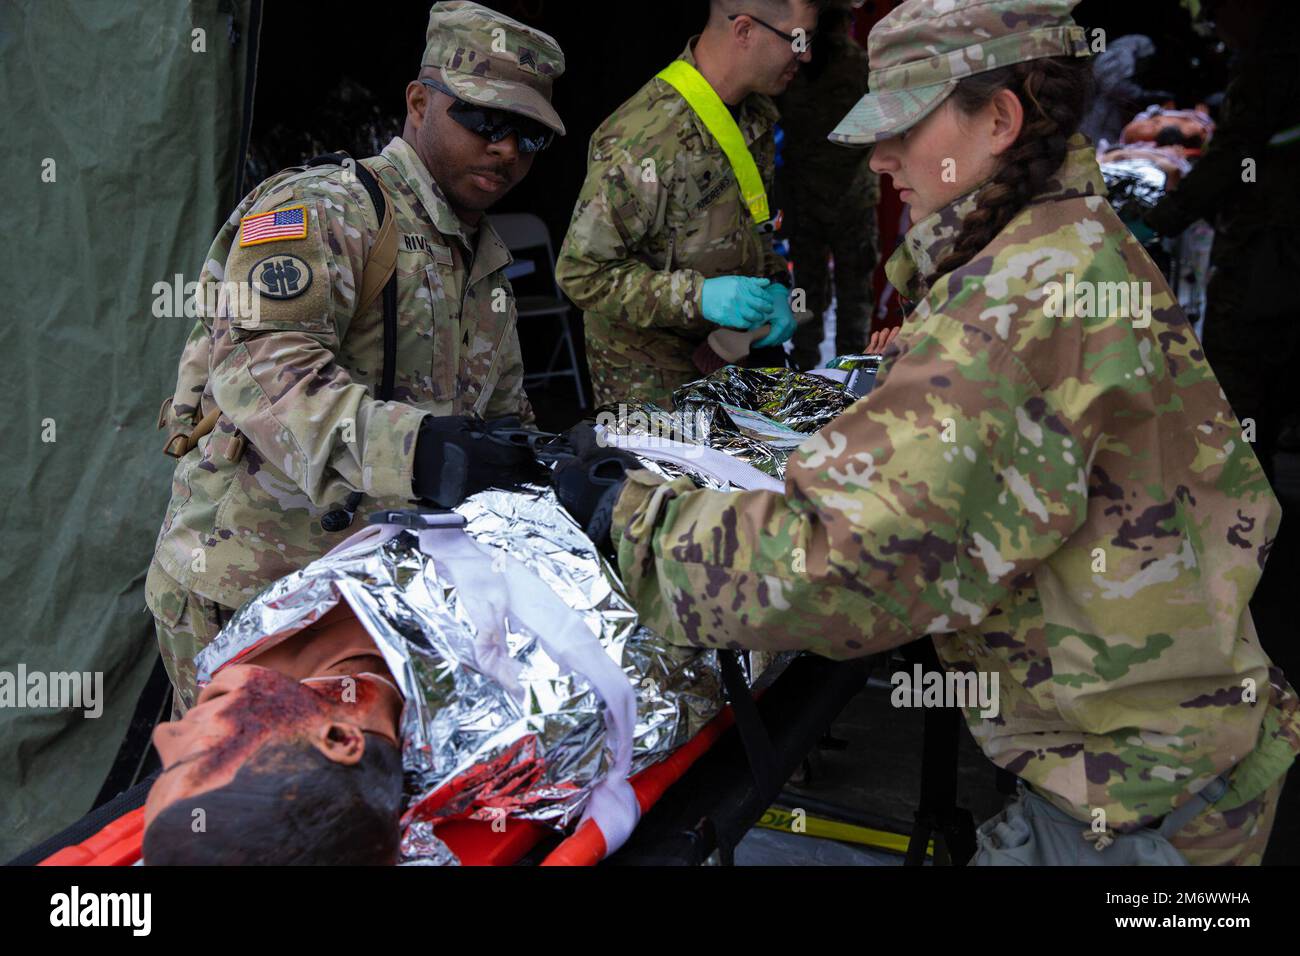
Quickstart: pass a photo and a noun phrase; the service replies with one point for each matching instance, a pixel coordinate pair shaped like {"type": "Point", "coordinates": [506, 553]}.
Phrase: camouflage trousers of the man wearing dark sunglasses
{"type": "Point", "coordinates": [187, 624]}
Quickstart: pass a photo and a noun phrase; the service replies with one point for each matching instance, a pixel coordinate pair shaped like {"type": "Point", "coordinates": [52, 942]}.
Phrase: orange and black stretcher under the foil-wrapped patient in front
{"type": "Point", "coordinates": [699, 801]}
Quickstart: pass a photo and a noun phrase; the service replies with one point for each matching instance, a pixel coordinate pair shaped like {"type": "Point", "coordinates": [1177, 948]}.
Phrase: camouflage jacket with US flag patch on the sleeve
{"type": "Point", "coordinates": [294, 378]}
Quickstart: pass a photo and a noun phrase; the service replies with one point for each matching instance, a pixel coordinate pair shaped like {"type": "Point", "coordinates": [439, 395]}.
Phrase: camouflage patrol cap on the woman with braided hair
{"type": "Point", "coordinates": [924, 49]}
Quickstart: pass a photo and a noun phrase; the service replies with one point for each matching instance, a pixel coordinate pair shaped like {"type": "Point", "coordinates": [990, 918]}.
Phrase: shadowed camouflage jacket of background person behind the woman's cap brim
{"type": "Point", "coordinates": [820, 178]}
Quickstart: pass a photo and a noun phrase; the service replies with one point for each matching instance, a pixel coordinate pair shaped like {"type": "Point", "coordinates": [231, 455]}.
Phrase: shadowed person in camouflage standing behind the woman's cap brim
{"type": "Point", "coordinates": [830, 193]}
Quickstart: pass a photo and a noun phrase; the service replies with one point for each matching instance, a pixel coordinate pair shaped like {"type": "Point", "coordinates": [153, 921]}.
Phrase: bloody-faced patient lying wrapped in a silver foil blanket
{"type": "Point", "coordinates": [532, 693]}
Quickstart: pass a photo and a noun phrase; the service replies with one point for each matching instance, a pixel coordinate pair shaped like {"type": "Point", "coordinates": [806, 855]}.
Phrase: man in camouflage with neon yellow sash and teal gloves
{"type": "Point", "coordinates": [661, 211]}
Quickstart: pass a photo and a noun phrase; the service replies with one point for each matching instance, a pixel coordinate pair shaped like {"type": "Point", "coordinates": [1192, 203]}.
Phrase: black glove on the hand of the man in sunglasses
{"type": "Point", "coordinates": [458, 456]}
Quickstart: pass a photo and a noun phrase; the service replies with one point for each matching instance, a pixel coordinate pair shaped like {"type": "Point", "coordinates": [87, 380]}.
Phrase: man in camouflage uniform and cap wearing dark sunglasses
{"type": "Point", "coordinates": [300, 431]}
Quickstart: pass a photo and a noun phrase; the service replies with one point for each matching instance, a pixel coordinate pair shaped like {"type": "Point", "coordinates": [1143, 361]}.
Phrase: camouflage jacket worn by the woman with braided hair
{"type": "Point", "coordinates": [1065, 503]}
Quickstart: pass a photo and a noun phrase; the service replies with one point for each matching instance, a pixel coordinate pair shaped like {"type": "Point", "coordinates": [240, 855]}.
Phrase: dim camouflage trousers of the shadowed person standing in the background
{"type": "Point", "coordinates": [850, 240]}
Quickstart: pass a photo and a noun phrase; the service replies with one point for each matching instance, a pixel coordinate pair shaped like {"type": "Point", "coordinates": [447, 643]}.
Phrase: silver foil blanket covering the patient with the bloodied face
{"type": "Point", "coordinates": [495, 725]}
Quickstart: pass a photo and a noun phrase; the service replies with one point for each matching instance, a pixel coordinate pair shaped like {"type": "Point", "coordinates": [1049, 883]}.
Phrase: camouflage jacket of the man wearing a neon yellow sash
{"type": "Point", "coordinates": [661, 211]}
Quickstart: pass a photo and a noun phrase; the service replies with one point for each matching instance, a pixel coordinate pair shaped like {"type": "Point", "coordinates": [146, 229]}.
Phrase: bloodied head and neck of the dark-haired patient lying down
{"type": "Point", "coordinates": [289, 756]}
